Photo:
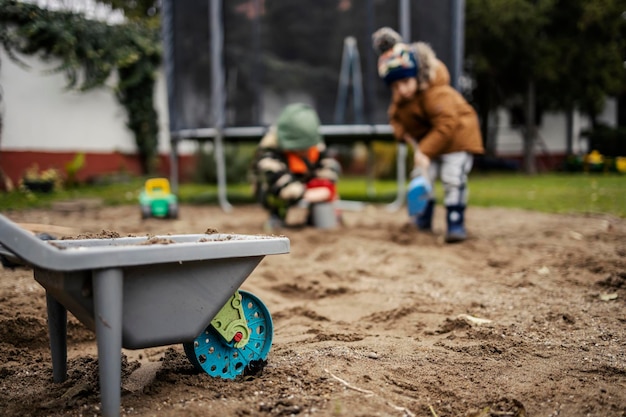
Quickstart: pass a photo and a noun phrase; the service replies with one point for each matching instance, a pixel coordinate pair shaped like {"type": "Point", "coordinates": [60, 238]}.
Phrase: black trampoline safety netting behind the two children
{"type": "Point", "coordinates": [281, 50]}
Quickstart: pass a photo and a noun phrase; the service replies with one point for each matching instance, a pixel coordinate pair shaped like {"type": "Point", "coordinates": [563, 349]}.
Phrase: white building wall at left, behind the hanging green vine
{"type": "Point", "coordinates": [40, 114]}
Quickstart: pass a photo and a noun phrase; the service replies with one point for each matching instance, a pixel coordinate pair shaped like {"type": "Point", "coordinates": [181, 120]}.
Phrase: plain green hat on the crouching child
{"type": "Point", "coordinates": [298, 127]}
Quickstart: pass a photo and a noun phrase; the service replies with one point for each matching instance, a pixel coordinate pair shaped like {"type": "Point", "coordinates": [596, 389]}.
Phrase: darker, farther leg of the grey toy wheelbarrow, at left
{"type": "Point", "coordinates": [57, 329]}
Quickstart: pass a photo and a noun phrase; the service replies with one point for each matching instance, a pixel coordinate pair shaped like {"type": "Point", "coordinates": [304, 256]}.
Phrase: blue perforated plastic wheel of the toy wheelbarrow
{"type": "Point", "coordinates": [209, 352]}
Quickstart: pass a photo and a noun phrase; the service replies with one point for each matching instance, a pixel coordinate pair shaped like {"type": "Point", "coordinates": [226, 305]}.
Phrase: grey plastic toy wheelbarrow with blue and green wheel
{"type": "Point", "coordinates": [139, 292]}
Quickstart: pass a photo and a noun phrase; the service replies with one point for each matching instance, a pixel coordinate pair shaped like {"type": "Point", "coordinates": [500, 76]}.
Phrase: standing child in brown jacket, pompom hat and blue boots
{"type": "Point", "coordinates": [434, 119]}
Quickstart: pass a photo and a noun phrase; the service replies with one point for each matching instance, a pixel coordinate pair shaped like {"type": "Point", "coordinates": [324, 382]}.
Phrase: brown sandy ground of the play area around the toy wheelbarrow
{"type": "Point", "coordinates": [373, 318]}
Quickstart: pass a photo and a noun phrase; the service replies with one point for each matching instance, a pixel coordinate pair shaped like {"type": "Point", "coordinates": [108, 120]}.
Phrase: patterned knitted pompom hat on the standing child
{"type": "Point", "coordinates": [397, 60]}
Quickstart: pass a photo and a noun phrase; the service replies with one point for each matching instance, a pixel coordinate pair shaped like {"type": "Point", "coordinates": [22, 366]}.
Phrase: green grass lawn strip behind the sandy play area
{"type": "Point", "coordinates": [554, 193]}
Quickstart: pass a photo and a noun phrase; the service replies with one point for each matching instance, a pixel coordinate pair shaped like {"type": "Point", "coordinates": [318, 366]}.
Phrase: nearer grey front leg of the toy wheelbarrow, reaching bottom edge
{"type": "Point", "coordinates": [108, 291]}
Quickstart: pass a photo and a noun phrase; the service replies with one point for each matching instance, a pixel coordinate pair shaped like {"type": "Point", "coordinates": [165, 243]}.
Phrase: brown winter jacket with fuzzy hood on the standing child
{"type": "Point", "coordinates": [438, 116]}
